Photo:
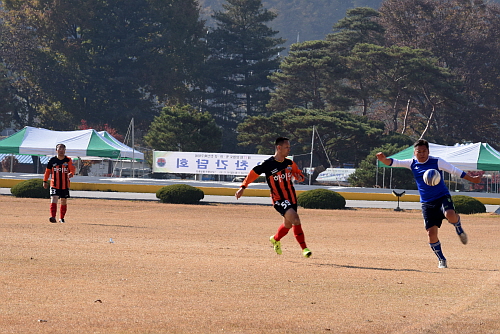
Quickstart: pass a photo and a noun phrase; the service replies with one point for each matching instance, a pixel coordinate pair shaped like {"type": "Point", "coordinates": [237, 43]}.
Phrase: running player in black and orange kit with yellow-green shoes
{"type": "Point", "coordinates": [279, 172]}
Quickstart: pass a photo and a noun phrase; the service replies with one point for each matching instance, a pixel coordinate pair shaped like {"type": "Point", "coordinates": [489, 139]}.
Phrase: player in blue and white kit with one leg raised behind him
{"type": "Point", "coordinates": [436, 200]}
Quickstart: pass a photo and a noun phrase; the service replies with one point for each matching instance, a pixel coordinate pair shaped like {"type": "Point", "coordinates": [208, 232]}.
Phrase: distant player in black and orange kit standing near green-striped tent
{"type": "Point", "coordinates": [60, 169]}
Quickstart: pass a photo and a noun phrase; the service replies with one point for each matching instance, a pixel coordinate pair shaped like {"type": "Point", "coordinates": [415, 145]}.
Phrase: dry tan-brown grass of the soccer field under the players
{"type": "Point", "coordinates": [211, 269]}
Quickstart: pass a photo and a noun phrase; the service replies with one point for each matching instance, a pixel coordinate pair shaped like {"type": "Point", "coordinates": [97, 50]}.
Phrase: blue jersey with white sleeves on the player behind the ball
{"type": "Point", "coordinates": [429, 193]}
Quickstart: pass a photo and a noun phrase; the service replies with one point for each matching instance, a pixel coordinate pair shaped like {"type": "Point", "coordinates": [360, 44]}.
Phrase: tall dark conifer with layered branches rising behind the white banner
{"type": "Point", "coordinates": [243, 53]}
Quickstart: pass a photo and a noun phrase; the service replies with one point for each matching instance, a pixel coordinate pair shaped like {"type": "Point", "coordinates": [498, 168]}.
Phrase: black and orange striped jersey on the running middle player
{"type": "Point", "coordinates": [279, 178]}
